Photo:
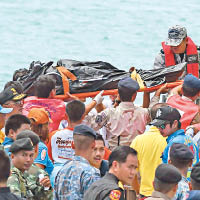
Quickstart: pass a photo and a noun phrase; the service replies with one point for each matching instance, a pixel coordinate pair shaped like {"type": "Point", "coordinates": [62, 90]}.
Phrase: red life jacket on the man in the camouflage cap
{"type": "Point", "coordinates": [191, 57]}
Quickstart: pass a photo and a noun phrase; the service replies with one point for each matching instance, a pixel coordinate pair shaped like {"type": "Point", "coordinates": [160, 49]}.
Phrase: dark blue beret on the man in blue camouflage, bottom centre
{"type": "Point", "coordinates": [84, 130]}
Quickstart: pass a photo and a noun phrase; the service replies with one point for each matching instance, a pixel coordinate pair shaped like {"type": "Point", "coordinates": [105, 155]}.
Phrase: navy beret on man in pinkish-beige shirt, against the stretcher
{"type": "Point", "coordinates": [128, 84]}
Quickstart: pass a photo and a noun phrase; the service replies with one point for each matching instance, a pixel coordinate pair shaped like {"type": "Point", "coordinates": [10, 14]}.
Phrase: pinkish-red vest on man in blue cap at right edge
{"type": "Point", "coordinates": [187, 109]}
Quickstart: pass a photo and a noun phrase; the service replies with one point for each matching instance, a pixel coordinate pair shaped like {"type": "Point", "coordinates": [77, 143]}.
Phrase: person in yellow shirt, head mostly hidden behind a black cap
{"type": "Point", "coordinates": [149, 147]}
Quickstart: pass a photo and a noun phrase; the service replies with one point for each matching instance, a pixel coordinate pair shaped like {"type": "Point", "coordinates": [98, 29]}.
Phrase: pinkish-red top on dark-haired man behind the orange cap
{"type": "Point", "coordinates": [55, 108]}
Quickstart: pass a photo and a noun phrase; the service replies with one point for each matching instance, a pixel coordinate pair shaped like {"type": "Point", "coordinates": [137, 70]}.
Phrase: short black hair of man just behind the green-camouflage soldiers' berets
{"type": "Point", "coordinates": [15, 121]}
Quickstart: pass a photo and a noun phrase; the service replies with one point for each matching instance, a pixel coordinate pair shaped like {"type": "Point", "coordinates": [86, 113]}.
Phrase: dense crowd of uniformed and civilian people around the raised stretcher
{"type": "Point", "coordinates": [107, 148]}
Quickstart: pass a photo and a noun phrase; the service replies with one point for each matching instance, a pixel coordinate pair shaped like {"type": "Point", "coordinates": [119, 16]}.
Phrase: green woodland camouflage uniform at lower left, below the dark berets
{"type": "Point", "coordinates": [26, 185]}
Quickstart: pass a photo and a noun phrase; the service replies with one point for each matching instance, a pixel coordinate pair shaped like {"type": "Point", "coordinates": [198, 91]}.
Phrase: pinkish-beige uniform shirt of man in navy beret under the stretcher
{"type": "Point", "coordinates": [126, 121]}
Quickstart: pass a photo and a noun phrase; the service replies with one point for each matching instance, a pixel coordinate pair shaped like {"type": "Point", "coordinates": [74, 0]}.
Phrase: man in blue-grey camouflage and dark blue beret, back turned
{"type": "Point", "coordinates": [76, 176]}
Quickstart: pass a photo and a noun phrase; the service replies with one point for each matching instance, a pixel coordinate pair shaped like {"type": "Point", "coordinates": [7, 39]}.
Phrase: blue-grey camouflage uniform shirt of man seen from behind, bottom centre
{"type": "Point", "coordinates": [74, 179]}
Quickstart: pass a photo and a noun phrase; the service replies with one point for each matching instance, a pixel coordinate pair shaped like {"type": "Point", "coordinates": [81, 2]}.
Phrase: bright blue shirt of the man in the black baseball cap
{"type": "Point", "coordinates": [180, 137]}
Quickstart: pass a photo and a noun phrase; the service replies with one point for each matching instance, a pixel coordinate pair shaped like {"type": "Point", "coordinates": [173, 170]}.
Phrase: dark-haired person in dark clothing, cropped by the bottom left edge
{"type": "Point", "coordinates": [5, 193]}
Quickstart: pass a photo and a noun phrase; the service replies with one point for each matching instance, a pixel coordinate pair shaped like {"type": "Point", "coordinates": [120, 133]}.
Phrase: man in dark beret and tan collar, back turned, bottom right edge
{"type": "Point", "coordinates": [165, 183]}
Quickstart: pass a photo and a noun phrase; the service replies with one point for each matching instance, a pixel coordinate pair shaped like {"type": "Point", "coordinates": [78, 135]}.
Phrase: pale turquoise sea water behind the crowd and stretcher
{"type": "Point", "coordinates": [123, 32]}
